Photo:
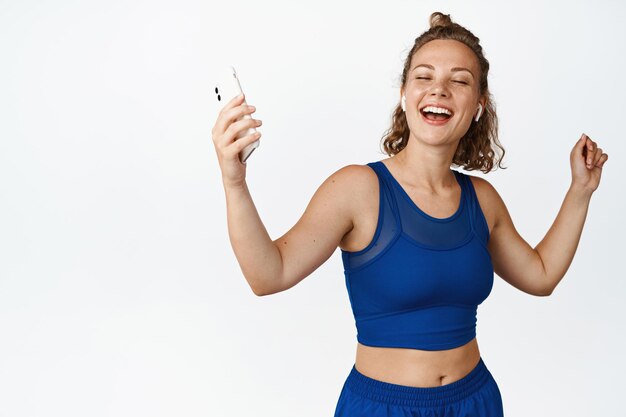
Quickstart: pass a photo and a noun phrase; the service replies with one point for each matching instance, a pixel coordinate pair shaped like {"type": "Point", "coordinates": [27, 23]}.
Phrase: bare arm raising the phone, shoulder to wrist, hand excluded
{"type": "Point", "coordinates": [274, 266]}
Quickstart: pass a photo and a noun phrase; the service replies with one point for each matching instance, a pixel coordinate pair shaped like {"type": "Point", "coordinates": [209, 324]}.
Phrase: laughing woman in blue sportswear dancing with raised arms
{"type": "Point", "coordinates": [420, 242]}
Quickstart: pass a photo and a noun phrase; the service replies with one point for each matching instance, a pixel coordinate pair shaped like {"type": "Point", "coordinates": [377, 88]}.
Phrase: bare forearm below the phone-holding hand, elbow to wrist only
{"type": "Point", "coordinates": [258, 257]}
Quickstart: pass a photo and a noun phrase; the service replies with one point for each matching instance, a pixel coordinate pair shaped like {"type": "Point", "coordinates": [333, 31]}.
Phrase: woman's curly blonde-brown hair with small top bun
{"type": "Point", "coordinates": [475, 150]}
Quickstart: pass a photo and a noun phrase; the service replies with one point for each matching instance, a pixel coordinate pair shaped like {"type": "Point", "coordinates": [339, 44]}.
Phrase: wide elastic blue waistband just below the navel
{"type": "Point", "coordinates": [418, 396]}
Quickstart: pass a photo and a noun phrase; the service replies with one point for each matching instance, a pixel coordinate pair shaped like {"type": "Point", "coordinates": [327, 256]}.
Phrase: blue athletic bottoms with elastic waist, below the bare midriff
{"type": "Point", "coordinates": [476, 394]}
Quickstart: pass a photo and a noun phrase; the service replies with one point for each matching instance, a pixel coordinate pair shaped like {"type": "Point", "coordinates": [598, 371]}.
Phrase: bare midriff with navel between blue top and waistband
{"type": "Point", "coordinates": [417, 368]}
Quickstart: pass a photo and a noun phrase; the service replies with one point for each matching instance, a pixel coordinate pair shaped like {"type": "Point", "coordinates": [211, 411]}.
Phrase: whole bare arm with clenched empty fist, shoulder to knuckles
{"type": "Point", "coordinates": [538, 270]}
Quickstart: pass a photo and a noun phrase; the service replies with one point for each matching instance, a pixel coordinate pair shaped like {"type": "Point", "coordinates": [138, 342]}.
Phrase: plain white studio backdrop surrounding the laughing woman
{"type": "Point", "coordinates": [120, 294]}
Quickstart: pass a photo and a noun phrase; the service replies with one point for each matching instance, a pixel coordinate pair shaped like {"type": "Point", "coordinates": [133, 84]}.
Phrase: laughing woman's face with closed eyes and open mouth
{"type": "Point", "coordinates": [435, 78]}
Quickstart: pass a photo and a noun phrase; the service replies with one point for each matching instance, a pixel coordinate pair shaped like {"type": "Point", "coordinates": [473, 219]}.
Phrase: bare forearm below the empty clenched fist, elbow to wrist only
{"type": "Point", "coordinates": [558, 247]}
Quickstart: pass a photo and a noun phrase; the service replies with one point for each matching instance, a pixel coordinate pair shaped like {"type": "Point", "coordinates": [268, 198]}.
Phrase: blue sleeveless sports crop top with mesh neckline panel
{"type": "Point", "coordinates": [419, 282]}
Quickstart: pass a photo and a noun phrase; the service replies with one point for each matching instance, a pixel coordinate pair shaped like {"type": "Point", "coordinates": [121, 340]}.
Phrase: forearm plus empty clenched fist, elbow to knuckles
{"type": "Point", "coordinates": [558, 247]}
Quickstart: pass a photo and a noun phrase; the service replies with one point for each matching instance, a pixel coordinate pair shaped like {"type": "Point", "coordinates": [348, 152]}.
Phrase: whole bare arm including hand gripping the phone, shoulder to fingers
{"type": "Point", "coordinates": [274, 266]}
